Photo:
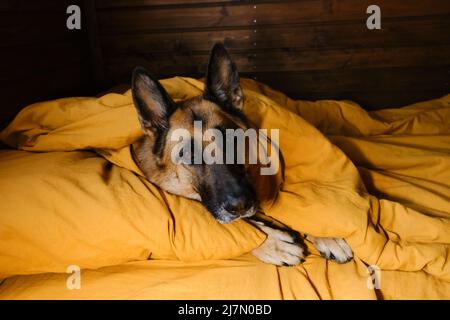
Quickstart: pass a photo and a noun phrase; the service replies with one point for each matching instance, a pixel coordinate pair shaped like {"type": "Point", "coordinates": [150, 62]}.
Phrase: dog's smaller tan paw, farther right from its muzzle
{"type": "Point", "coordinates": [335, 249]}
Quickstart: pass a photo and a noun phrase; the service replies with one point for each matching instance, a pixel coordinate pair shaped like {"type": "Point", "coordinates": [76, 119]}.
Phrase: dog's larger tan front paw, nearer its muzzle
{"type": "Point", "coordinates": [281, 248]}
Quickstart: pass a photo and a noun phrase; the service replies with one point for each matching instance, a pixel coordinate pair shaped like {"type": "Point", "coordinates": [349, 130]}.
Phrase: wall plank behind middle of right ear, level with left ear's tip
{"type": "Point", "coordinates": [281, 60]}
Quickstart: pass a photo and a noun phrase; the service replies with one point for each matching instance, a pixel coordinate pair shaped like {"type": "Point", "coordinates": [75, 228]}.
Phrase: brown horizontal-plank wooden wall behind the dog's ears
{"type": "Point", "coordinates": [309, 49]}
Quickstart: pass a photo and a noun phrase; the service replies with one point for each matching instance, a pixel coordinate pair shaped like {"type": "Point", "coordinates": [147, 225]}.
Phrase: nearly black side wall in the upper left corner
{"type": "Point", "coordinates": [40, 58]}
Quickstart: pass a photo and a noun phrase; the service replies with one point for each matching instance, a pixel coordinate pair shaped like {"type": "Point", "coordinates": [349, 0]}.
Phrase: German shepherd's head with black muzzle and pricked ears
{"type": "Point", "coordinates": [224, 189]}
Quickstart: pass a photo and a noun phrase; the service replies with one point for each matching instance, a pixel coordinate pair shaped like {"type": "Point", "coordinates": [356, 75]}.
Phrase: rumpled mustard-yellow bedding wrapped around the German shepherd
{"type": "Point", "coordinates": [381, 180]}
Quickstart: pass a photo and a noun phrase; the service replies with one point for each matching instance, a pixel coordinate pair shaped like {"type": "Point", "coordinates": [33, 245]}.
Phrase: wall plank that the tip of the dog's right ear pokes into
{"type": "Point", "coordinates": [420, 32]}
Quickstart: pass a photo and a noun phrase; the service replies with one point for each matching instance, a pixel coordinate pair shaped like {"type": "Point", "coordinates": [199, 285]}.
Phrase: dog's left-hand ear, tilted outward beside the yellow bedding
{"type": "Point", "coordinates": [152, 102]}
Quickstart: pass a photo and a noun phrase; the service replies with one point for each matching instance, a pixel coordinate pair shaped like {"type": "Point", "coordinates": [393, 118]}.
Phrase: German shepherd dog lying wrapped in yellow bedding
{"type": "Point", "coordinates": [225, 190]}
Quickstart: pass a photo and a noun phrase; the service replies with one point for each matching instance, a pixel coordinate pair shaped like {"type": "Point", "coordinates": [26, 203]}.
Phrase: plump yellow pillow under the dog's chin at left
{"type": "Point", "coordinates": [76, 208]}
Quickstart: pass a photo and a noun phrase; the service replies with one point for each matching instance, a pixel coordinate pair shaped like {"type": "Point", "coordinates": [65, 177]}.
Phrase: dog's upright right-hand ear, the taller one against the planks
{"type": "Point", "coordinates": [222, 79]}
